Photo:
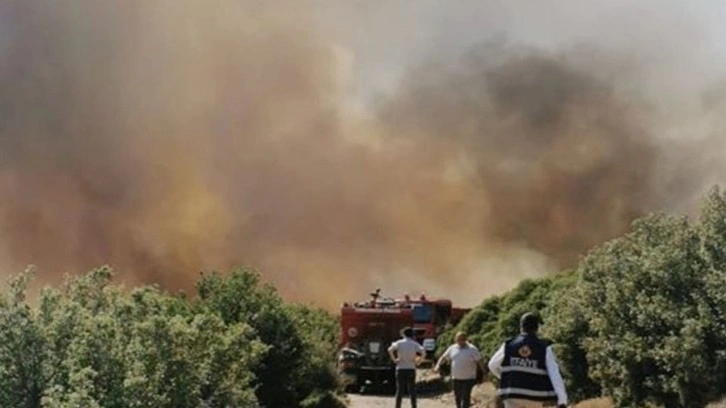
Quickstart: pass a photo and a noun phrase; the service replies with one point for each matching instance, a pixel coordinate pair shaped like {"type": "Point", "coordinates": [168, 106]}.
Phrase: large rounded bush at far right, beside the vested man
{"type": "Point", "coordinates": [652, 319]}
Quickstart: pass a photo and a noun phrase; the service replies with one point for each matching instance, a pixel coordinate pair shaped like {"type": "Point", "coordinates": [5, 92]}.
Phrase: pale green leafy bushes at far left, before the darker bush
{"type": "Point", "coordinates": [92, 344]}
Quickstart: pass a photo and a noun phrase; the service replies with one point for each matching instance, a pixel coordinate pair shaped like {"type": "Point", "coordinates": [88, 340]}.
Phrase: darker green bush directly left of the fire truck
{"type": "Point", "coordinates": [296, 368]}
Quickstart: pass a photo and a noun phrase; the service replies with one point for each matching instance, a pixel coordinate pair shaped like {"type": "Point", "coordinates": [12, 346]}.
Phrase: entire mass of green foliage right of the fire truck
{"type": "Point", "coordinates": [643, 317]}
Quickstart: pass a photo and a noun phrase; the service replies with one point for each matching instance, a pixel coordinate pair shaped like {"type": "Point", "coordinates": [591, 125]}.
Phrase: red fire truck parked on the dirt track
{"type": "Point", "coordinates": [368, 328]}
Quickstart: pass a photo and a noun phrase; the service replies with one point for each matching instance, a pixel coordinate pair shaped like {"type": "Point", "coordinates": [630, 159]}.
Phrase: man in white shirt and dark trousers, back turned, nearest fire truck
{"type": "Point", "coordinates": [406, 353]}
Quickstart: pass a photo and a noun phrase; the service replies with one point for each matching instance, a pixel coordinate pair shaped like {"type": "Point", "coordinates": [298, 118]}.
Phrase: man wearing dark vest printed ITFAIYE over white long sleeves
{"type": "Point", "coordinates": [527, 369]}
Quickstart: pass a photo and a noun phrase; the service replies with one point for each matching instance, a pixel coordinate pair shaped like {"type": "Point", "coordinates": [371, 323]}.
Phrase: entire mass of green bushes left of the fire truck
{"type": "Point", "coordinates": [92, 344]}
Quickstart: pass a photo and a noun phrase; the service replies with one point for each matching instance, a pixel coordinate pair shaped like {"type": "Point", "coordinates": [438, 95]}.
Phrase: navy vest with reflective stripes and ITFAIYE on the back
{"type": "Point", "coordinates": [524, 370]}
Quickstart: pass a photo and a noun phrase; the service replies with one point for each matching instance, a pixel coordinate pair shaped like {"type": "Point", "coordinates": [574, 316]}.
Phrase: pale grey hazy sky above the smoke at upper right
{"type": "Point", "coordinates": [388, 36]}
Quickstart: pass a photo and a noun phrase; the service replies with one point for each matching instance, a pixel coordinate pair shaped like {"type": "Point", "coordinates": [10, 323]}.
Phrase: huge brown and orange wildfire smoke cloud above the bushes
{"type": "Point", "coordinates": [168, 137]}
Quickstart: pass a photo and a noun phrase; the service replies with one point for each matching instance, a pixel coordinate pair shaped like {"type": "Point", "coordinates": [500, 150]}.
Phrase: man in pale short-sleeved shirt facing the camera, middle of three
{"type": "Point", "coordinates": [464, 358]}
